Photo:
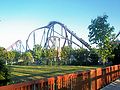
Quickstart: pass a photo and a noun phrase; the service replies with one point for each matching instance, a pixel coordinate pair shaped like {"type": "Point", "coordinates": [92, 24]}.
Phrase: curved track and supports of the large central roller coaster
{"type": "Point", "coordinates": [50, 34]}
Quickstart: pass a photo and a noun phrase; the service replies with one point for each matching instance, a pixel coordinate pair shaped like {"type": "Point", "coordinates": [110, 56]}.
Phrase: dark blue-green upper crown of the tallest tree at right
{"type": "Point", "coordinates": [100, 30]}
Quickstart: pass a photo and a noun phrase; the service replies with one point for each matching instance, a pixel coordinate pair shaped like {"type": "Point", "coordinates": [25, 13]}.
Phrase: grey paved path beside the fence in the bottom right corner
{"type": "Point", "coordinates": [113, 86]}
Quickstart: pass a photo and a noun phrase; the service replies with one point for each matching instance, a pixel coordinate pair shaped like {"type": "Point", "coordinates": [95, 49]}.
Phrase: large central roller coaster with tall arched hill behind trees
{"type": "Point", "coordinates": [54, 35]}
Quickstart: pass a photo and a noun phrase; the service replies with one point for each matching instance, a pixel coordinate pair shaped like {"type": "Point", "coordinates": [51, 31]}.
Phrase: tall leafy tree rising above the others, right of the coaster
{"type": "Point", "coordinates": [100, 33]}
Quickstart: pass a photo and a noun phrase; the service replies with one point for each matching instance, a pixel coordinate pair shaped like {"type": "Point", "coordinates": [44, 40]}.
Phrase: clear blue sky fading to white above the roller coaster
{"type": "Point", "coordinates": [19, 17]}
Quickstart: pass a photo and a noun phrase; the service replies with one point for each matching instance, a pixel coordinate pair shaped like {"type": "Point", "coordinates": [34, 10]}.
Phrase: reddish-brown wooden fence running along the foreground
{"type": "Point", "coordinates": [86, 80]}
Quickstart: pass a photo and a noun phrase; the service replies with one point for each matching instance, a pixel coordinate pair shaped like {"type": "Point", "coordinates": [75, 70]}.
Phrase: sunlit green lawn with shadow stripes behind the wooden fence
{"type": "Point", "coordinates": [27, 73]}
